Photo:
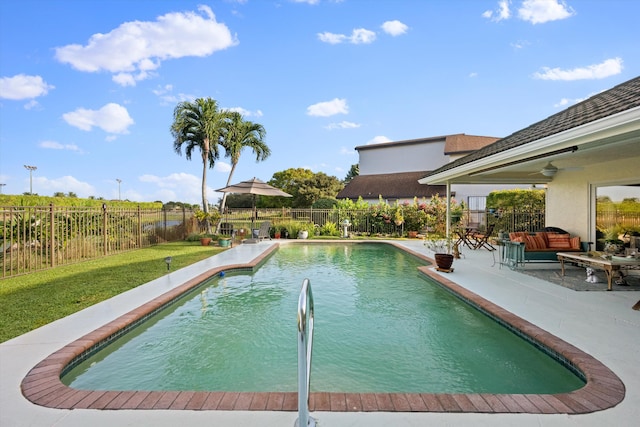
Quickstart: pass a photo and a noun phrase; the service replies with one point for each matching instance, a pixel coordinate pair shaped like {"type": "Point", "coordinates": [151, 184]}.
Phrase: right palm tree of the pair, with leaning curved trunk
{"type": "Point", "coordinates": [240, 134]}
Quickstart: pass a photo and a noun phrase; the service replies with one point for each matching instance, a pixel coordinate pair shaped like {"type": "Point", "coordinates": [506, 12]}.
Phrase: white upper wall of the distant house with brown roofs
{"type": "Point", "coordinates": [402, 158]}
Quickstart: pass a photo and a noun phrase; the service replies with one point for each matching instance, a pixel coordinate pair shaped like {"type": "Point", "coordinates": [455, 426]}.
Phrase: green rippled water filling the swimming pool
{"type": "Point", "coordinates": [380, 326]}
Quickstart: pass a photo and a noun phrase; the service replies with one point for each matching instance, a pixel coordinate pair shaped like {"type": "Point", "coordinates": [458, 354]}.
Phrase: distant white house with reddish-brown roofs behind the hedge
{"type": "Point", "coordinates": [392, 170]}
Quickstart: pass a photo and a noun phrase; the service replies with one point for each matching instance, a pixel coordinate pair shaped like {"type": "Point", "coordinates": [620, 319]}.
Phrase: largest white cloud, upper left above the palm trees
{"type": "Point", "coordinates": [133, 50]}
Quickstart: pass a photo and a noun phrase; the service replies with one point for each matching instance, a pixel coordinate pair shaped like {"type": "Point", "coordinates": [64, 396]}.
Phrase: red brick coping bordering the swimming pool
{"type": "Point", "coordinates": [603, 389]}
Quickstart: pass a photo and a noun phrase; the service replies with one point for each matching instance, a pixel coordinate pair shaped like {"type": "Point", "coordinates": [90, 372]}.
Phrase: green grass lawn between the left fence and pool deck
{"type": "Point", "coordinates": [30, 301]}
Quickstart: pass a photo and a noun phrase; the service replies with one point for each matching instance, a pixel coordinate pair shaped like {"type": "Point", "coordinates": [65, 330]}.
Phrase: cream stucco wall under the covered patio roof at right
{"type": "Point", "coordinates": [571, 194]}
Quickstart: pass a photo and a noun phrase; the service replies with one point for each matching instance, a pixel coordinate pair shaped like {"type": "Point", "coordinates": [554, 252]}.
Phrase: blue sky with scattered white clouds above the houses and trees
{"type": "Point", "coordinates": [88, 88]}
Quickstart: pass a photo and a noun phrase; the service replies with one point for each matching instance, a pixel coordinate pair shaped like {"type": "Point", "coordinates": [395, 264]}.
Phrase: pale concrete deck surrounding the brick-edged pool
{"type": "Point", "coordinates": [599, 323]}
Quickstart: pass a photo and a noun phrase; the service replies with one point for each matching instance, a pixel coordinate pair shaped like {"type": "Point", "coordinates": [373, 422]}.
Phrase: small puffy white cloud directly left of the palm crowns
{"type": "Point", "coordinates": [111, 118]}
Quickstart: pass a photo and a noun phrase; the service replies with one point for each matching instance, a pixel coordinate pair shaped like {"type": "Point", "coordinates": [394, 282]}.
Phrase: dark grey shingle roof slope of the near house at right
{"type": "Point", "coordinates": [615, 100]}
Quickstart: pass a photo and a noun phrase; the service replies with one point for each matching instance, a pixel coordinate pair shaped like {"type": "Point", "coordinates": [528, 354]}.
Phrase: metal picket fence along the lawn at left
{"type": "Point", "coordinates": [34, 238]}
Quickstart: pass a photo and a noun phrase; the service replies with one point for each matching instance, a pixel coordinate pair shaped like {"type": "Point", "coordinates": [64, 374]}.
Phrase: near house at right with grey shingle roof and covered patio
{"type": "Point", "coordinates": [576, 153]}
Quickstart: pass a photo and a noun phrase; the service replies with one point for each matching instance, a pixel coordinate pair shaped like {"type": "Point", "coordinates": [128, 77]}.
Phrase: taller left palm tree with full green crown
{"type": "Point", "coordinates": [198, 124]}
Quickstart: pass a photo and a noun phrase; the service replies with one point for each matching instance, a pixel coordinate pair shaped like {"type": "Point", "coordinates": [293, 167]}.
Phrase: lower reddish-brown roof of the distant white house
{"type": "Point", "coordinates": [390, 186]}
